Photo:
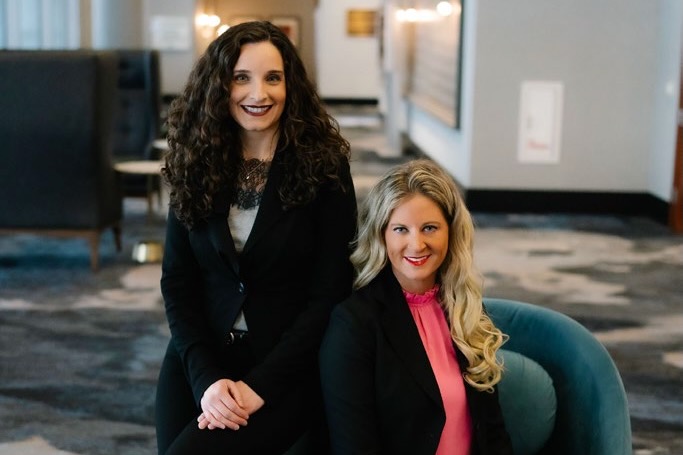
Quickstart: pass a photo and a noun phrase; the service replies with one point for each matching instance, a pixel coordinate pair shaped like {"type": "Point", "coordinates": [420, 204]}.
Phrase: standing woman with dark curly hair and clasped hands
{"type": "Point", "coordinates": [262, 211]}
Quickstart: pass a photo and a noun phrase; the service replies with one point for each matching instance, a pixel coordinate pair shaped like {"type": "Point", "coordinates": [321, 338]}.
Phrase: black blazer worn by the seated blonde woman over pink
{"type": "Point", "coordinates": [381, 396]}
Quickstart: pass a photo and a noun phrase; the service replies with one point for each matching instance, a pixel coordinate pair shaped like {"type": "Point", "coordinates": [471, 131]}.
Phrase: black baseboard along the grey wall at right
{"type": "Point", "coordinates": [512, 201]}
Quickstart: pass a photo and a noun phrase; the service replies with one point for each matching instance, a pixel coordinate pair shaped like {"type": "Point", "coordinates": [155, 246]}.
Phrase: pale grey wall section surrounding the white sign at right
{"type": "Point", "coordinates": [605, 55]}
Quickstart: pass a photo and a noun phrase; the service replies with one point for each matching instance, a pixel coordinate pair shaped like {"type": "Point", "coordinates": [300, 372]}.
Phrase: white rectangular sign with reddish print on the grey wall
{"type": "Point", "coordinates": [540, 122]}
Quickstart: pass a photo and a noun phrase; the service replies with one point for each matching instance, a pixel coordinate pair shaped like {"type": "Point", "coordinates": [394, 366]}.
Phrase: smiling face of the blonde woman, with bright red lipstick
{"type": "Point", "coordinates": [417, 242]}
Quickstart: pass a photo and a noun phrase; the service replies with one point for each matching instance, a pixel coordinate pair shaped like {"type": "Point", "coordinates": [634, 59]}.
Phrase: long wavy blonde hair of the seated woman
{"type": "Point", "coordinates": [460, 290]}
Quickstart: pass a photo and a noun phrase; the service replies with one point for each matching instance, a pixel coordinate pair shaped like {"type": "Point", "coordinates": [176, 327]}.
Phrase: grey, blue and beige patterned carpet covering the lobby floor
{"type": "Point", "coordinates": [79, 352]}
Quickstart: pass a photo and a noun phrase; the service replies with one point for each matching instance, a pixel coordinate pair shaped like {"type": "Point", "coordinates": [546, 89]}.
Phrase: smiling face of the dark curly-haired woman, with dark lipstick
{"type": "Point", "coordinates": [258, 90]}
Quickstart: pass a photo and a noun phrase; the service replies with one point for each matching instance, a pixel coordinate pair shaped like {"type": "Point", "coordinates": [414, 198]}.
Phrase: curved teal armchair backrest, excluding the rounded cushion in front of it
{"type": "Point", "coordinates": [592, 416]}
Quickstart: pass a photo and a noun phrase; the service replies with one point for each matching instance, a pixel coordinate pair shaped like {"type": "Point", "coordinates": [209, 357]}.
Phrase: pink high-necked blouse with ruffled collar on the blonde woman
{"type": "Point", "coordinates": [456, 437]}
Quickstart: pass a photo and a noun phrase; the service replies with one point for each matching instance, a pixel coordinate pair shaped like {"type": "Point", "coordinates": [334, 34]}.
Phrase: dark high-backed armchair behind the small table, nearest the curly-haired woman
{"type": "Point", "coordinates": [138, 118]}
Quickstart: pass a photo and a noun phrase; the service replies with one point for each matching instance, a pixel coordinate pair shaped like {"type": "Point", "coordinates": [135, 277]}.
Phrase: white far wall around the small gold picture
{"type": "Point", "coordinates": [347, 67]}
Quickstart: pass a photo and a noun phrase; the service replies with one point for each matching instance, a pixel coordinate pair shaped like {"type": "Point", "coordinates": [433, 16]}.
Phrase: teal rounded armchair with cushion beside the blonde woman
{"type": "Point", "coordinates": [561, 392]}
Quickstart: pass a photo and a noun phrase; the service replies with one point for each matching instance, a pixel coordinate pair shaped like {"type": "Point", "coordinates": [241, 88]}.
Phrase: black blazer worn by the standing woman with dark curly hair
{"type": "Point", "coordinates": [293, 269]}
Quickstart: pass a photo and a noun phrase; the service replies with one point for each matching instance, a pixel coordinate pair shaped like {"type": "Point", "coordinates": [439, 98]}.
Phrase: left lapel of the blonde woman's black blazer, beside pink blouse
{"type": "Point", "coordinates": [402, 334]}
